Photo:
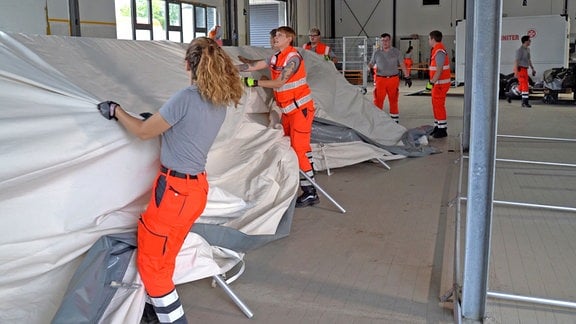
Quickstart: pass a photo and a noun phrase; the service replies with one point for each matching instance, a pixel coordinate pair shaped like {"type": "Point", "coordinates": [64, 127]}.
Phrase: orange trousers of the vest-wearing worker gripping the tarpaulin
{"type": "Point", "coordinates": [297, 125]}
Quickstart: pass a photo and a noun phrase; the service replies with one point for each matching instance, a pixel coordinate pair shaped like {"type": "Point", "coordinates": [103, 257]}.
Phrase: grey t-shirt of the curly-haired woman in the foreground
{"type": "Point", "coordinates": [195, 124]}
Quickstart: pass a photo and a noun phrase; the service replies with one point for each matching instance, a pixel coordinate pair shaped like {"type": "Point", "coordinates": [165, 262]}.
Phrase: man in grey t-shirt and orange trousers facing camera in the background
{"type": "Point", "coordinates": [387, 59]}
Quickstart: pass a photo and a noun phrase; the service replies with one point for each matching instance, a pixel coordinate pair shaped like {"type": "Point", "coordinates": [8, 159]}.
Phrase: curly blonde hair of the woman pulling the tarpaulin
{"type": "Point", "coordinates": [213, 72]}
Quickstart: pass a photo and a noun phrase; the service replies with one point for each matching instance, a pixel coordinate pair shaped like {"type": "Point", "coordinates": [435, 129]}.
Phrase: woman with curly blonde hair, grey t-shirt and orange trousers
{"type": "Point", "coordinates": [188, 124]}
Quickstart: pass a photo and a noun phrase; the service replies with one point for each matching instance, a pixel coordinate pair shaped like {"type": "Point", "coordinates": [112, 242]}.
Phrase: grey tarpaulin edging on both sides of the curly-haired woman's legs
{"type": "Point", "coordinates": [89, 291]}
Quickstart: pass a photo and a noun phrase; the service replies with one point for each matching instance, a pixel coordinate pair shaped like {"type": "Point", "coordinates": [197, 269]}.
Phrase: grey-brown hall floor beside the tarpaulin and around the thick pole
{"type": "Point", "coordinates": [389, 258]}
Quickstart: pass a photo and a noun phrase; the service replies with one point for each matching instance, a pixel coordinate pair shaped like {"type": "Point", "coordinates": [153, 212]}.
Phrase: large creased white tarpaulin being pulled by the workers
{"type": "Point", "coordinates": [69, 177]}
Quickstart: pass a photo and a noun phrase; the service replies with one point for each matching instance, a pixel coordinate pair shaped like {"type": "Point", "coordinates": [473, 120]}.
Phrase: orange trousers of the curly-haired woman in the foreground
{"type": "Point", "coordinates": [175, 205]}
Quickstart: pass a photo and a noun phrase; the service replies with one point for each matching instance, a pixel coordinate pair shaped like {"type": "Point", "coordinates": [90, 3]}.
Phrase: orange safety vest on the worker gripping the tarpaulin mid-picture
{"type": "Point", "coordinates": [295, 92]}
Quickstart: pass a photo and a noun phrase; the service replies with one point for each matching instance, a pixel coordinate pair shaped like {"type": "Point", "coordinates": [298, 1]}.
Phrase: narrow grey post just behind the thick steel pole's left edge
{"type": "Point", "coordinates": [468, 75]}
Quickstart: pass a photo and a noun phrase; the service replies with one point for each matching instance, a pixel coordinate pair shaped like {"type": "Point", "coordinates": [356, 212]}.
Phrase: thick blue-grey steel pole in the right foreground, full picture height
{"type": "Point", "coordinates": [486, 56]}
